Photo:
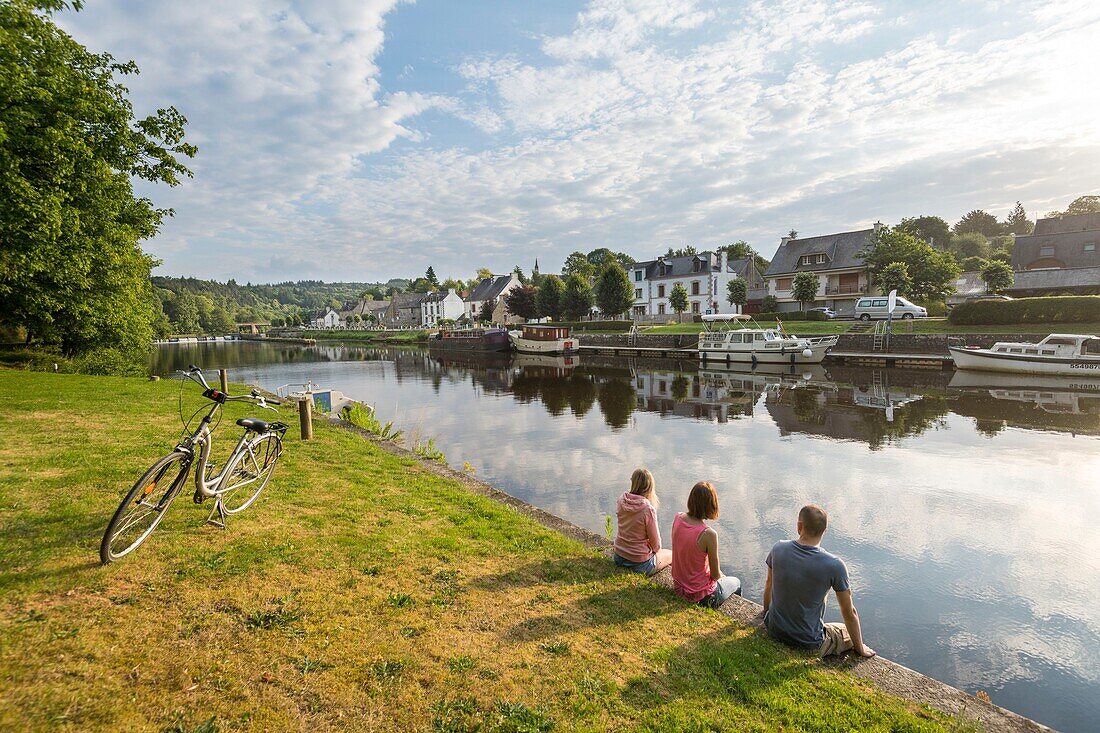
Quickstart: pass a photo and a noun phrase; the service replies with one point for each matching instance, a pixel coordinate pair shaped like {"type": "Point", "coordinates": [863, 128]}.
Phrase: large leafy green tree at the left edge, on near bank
{"type": "Point", "coordinates": [72, 271]}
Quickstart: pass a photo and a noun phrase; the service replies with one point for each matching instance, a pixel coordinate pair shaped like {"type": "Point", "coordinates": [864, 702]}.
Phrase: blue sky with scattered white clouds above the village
{"type": "Point", "coordinates": [362, 140]}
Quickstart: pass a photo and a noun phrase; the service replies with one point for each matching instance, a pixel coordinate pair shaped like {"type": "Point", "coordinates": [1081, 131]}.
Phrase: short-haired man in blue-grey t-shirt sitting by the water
{"type": "Point", "coordinates": [800, 576]}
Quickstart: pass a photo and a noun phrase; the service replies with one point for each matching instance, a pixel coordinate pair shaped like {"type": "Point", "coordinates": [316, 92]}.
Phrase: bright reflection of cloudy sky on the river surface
{"type": "Point", "coordinates": [967, 552]}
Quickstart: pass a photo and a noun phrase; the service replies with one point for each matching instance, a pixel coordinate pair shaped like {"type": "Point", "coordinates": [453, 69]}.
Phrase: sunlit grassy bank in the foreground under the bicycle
{"type": "Point", "coordinates": [360, 593]}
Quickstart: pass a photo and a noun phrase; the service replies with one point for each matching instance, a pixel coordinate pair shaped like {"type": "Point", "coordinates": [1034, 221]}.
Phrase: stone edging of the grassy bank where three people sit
{"type": "Point", "coordinates": [885, 675]}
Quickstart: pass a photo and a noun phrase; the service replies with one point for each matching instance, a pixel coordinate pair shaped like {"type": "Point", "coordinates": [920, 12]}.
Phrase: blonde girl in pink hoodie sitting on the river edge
{"type": "Point", "coordinates": [639, 541]}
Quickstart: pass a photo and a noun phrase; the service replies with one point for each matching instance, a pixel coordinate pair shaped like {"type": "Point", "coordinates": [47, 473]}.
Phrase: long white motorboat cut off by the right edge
{"type": "Point", "coordinates": [1059, 355]}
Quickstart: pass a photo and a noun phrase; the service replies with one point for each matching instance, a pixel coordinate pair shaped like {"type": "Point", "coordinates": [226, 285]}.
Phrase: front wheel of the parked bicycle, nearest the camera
{"type": "Point", "coordinates": [145, 507]}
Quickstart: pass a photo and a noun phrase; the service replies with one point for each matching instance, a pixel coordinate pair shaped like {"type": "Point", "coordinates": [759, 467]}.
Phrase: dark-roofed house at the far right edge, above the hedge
{"type": "Point", "coordinates": [1060, 243]}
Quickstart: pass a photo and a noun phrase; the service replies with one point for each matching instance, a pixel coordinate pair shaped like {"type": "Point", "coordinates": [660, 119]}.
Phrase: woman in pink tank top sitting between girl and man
{"type": "Point", "coordinates": [697, 574]}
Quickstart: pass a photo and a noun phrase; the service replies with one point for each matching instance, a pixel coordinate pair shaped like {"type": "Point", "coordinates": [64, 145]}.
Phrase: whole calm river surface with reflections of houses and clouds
{"type": "Point", "coordinates": [969, 512]}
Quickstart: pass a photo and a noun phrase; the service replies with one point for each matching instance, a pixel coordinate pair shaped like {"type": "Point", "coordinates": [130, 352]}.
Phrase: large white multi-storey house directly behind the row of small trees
{"type": "Point", "coordinates": [705, 276]}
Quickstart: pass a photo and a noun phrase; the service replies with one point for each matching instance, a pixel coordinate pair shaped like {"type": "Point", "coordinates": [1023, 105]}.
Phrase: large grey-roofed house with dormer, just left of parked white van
{"type": "Point", "coordinates": [843, 277]}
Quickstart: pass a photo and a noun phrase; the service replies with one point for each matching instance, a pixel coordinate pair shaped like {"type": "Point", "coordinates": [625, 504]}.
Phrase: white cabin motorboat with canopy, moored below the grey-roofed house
{"type": "Point", "coordinates": [729, 338]}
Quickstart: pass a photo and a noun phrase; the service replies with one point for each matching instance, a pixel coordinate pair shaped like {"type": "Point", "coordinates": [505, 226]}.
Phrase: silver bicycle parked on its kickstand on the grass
{"type": "Point", "coordinates": [251, 464]}
